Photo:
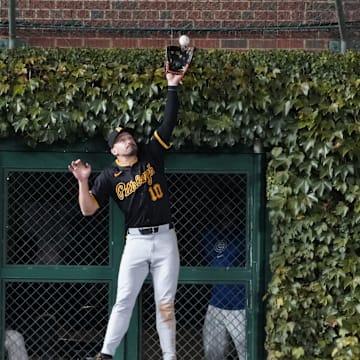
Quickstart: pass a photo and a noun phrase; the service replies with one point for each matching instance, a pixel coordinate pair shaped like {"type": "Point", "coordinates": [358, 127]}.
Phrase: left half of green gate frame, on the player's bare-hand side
{"type": "Point", "coordinates": [57, 161]}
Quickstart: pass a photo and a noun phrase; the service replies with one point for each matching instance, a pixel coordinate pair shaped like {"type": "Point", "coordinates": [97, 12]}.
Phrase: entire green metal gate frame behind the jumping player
{"type": "Point", "coordinates": [254, 275]}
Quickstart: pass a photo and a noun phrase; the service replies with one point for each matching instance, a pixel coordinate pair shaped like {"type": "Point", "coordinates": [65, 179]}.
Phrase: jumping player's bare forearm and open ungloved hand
{"type": "Point", "coordinates": [82, 172]}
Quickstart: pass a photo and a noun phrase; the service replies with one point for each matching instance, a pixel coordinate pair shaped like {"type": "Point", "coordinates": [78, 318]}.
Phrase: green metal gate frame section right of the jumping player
{"type": "Point", "coordinates": [252, 166]}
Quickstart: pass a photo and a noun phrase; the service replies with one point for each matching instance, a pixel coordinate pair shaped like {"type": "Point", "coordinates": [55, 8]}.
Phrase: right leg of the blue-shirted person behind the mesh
{"type": "Point", "coordinates": [236, 326]}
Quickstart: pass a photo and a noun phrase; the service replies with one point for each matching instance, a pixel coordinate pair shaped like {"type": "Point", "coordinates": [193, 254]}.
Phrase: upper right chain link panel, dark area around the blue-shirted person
{"type": "Point", "coordinates": [203, 200]}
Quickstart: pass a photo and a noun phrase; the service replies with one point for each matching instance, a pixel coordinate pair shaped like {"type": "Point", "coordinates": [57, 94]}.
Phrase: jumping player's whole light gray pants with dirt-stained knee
{"type": "Point", "coordinates": [158, 254]}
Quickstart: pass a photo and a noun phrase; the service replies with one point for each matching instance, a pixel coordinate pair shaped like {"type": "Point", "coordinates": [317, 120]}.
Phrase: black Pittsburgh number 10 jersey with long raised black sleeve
{"type": "Point", "coordinates": [140, 190]}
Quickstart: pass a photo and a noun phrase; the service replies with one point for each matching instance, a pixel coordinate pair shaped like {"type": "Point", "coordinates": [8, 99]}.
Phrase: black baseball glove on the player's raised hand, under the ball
{"type": "Point", "coordinates": [178, 59]}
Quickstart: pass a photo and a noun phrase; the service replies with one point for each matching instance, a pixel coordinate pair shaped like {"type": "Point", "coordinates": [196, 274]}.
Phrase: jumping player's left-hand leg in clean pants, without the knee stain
{"type": "Point", "coordinates": [132, 273]}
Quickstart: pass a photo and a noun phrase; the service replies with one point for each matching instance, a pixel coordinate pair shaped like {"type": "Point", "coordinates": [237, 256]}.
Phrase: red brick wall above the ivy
{"type": "Point", "coordinates": [255, 24]}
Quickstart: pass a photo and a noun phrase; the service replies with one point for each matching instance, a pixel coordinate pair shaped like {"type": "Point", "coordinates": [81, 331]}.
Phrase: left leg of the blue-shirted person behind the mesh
{"type": "Point", "coordinates": [215, 336]}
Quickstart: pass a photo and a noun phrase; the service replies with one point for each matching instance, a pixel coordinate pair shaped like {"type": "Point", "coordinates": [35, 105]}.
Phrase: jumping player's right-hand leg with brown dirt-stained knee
{"type": "Point", "coordinates": [165, 272]}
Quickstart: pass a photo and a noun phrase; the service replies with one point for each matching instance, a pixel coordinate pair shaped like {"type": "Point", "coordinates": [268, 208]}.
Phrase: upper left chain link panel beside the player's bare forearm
{"type": "Point", "coordinates": [45, 226]}
